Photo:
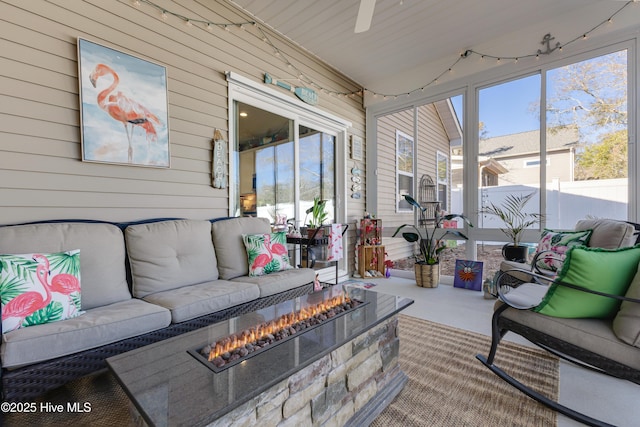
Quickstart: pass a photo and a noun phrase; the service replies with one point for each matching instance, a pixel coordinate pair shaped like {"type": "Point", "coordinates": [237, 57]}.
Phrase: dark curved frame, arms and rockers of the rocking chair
{"type": "Point", "coordinates": [500, 325]}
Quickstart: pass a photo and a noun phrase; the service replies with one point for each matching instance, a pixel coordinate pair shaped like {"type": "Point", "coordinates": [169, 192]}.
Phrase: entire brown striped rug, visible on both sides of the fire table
{"type": "Point", "coordinates": [447, 386]}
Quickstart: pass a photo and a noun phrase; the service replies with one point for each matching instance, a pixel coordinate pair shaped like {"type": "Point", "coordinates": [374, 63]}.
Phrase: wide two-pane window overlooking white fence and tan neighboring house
{"type": "Point", "coordinates": [577, 167]}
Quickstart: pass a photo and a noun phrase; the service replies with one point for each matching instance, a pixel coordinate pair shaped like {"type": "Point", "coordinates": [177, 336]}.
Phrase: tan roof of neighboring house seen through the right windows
{"type": "Point", "coordinates": [527, 143]}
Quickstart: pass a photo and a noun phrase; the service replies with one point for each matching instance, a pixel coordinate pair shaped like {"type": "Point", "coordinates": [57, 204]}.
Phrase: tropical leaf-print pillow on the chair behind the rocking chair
{"type": "Point", "coordinates": [555, 245]}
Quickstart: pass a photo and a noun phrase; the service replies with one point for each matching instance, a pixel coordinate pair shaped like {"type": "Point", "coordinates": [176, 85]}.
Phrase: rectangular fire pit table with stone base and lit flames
{"type": "Point", "coordinates": [339, 362]}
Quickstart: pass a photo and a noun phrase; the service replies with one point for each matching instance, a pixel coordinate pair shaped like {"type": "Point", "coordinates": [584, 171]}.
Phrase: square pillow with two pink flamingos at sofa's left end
{"type": "Point", "coordinates": [39, 288]}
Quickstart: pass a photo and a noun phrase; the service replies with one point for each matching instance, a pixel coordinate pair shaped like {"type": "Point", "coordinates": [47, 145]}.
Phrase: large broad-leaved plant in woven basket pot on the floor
{"type": "Point", "coordinates": [430, 242]}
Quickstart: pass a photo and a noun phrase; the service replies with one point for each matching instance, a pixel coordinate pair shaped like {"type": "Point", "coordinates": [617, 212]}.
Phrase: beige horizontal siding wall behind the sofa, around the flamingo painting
{"type": "Point", "coordinates": [41, 172]}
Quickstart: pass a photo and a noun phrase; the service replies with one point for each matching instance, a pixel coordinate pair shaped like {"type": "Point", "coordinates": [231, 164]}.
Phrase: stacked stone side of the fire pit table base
{"type": "Point", "coordinates": [335, 390]}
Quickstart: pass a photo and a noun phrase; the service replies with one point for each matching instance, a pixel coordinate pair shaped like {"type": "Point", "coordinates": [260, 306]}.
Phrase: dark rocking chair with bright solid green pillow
{"type": "Point", "coordinates": [589, 314]}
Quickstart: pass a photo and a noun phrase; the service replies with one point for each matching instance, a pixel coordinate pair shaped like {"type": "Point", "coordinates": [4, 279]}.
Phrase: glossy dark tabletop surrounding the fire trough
{"type": "Point", "coordinates": [170, 386]}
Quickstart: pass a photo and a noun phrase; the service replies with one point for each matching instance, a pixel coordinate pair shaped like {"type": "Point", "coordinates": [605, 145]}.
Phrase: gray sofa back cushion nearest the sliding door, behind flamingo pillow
{"type": "Point", "coordinates": [230, 249]}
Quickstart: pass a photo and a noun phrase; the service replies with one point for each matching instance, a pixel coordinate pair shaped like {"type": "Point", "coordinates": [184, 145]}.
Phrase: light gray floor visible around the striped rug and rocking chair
{"type": "Point", "coordinates": [608, 399]}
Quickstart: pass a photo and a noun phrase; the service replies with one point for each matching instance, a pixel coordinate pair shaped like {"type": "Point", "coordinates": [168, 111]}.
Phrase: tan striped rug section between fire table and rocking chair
{"type": "Point", "coordinates": [448, 386]}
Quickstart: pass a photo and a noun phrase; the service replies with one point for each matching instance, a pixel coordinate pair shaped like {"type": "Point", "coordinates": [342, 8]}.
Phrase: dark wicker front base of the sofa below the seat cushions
{"type": "Point", "coordinates": [33, 380]}
